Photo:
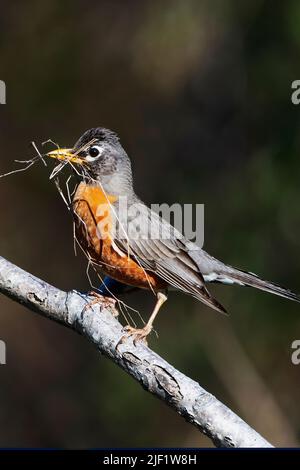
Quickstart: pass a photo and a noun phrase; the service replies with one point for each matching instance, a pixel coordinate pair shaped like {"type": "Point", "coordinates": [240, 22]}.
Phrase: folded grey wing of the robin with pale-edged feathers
{"type": "Point", "coordinates": [158, 247]}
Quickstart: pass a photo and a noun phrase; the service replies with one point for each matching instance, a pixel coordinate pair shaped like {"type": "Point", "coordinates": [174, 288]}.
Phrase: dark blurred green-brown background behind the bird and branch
{"type": "Point", "coordinates": [199, 92]}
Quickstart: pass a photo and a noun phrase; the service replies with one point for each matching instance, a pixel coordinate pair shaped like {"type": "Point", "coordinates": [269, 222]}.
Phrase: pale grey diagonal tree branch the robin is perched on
{"type": "Point", "coordinates": [100, 326]}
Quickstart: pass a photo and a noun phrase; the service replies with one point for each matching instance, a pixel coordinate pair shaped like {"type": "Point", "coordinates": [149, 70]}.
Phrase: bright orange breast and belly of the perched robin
{"type": "Point", "coordinates": [94, 224]}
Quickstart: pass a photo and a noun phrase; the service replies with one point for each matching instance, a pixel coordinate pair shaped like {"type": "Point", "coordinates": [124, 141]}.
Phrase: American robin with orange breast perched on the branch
{"type": "Point", "coordinates": [135, 246]}
